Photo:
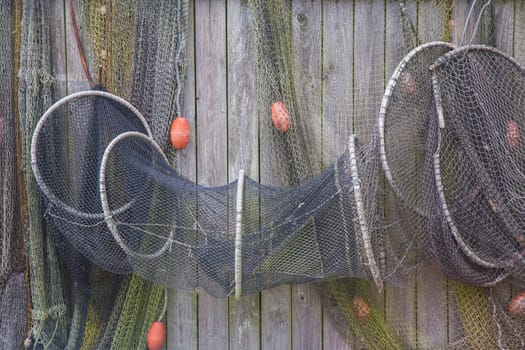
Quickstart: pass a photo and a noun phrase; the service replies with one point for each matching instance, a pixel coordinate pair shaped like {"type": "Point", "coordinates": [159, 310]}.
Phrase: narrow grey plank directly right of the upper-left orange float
{"type": "Point", "coordinates": [182, 315]}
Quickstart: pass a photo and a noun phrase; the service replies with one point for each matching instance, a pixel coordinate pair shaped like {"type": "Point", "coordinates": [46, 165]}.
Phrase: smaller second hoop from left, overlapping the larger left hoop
{"type": "Point", "coordinates": [108, 213]}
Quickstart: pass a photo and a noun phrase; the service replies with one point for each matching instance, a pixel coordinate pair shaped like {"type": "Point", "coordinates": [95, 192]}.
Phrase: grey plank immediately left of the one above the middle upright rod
{"type": "Point", "coordinates": [212, 136]}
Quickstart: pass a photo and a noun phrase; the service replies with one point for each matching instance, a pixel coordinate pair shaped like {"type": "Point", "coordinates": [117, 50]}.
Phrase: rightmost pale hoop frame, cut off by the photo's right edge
{"type": "Point", "coordinates": [458, 53]}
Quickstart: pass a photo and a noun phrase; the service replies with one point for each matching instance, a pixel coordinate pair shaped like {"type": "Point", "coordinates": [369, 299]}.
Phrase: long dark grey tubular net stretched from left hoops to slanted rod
{"type": "Point", "coordinates": [179, 234]}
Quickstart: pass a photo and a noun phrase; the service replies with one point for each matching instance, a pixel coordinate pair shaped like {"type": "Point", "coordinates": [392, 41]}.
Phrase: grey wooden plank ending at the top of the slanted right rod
{"type": "Point", "coordinates": [337, 117]}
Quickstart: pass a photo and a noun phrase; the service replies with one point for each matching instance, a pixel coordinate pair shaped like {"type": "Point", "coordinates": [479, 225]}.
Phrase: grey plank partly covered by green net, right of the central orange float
{"type": "Point", "coordinates": [306, 30]}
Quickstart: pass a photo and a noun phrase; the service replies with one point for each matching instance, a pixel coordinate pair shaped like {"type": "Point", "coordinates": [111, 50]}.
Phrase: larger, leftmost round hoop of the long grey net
{"type": "Point", "coordinates": [48, 114]}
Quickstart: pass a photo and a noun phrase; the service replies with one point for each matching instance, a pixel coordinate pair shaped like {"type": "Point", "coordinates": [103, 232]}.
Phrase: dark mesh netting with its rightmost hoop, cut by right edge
{"type": "Point", "coordinates": [479, 98]}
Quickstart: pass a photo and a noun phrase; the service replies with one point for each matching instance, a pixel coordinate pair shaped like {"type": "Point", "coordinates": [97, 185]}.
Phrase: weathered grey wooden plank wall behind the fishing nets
{"type": "Point", "coordinates": [220, 97]}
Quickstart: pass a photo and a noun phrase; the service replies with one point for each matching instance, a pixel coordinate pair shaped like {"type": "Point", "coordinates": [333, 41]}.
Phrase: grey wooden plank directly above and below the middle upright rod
{"type": "Point", "coordinates": [243, 151]}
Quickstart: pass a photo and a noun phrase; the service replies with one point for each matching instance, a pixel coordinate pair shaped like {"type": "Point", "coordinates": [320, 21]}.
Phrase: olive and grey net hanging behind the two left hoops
{"type": "Point", "coordinates": [154, 35]}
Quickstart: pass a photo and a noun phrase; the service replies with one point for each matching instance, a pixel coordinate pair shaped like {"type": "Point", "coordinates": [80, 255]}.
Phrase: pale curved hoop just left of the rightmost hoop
{"type": "Point", "coordinates": [385, 103]}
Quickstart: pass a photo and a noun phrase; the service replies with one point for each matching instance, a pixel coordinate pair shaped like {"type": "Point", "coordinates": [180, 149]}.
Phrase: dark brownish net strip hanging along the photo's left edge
{"type": "Point", "coordinates": [12, 255]}
